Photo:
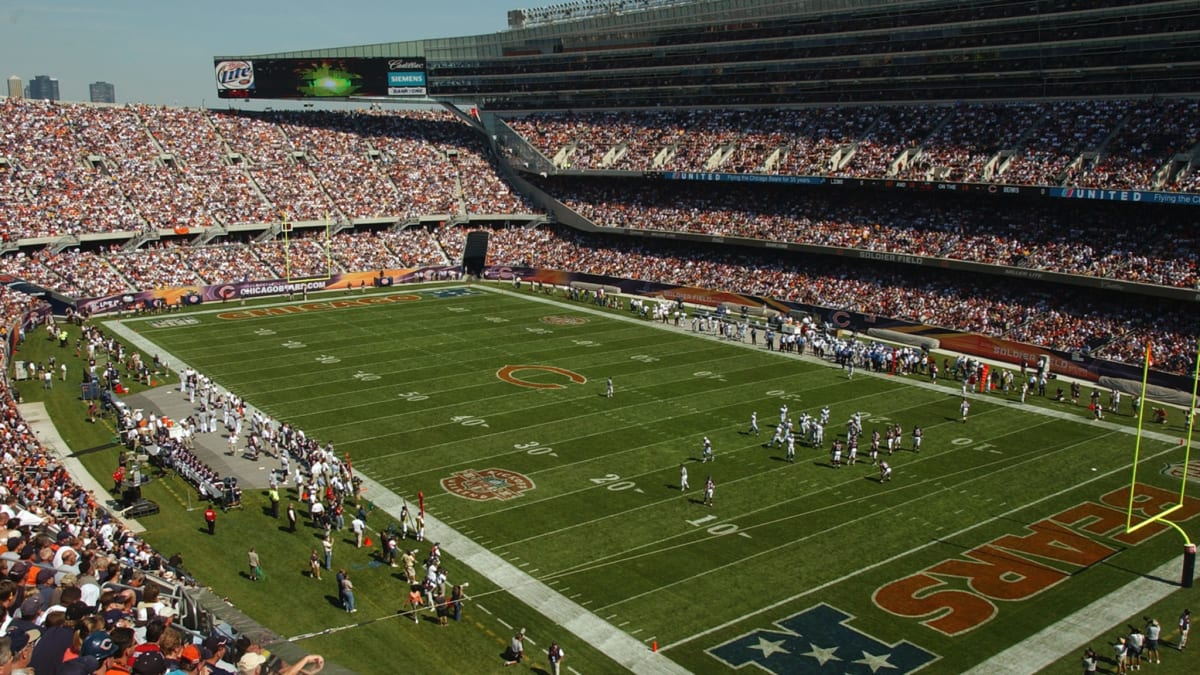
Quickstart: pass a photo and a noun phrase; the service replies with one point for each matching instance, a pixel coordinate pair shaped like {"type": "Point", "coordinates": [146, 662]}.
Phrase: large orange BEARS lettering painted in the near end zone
{"type": "Point", "coordinates": [1017, 568]}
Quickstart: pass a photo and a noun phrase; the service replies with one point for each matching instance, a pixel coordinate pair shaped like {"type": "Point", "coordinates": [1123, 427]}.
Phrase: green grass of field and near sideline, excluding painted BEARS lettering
{"type": "Point", "coordinates": [605, 519]}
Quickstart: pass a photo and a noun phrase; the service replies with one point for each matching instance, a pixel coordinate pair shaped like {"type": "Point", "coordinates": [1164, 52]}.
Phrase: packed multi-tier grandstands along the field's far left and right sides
{"type": "Point", "coordinates": [106, 200]}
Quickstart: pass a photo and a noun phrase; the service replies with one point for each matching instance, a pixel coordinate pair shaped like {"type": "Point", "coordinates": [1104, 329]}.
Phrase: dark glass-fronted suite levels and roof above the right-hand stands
{"type": "Point", "coordinates": [674, 53]}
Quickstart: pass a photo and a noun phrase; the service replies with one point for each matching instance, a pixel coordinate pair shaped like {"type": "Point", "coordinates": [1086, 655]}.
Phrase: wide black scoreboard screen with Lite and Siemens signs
{"type": "Point", "coordinates": [320, 77]}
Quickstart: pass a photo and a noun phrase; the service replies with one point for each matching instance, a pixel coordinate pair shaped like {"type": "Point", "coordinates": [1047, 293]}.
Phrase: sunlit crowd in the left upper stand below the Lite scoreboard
{"type": "Point", "coordinates": [81, 170]}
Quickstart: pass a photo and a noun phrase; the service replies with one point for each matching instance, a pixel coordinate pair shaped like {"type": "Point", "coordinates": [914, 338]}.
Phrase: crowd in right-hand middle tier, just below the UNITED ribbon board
{"type": "Point", "coordinates": [1036, 238]}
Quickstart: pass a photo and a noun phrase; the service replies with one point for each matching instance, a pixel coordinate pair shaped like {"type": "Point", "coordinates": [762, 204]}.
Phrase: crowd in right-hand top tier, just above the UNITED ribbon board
{"type": "Point", "coordinates": [1113, 145]}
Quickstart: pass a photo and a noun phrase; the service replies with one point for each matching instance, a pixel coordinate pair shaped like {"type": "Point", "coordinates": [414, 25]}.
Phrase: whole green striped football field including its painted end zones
{"type": "Point", "coordinates": [494, 405]}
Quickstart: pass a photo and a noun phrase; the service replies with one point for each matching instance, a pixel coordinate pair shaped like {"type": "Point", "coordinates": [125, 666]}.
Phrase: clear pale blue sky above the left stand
{"type": "Point", "coordinates": [161, 51]}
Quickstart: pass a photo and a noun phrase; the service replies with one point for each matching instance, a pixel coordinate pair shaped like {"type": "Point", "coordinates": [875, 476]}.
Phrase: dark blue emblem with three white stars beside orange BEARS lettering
{"type": "Point", "coordinates": [818, 641]}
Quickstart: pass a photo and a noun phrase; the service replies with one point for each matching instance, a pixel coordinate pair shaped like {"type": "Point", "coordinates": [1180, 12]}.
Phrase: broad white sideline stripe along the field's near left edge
{"type": "Point", "coordinates": [615, 643]}
